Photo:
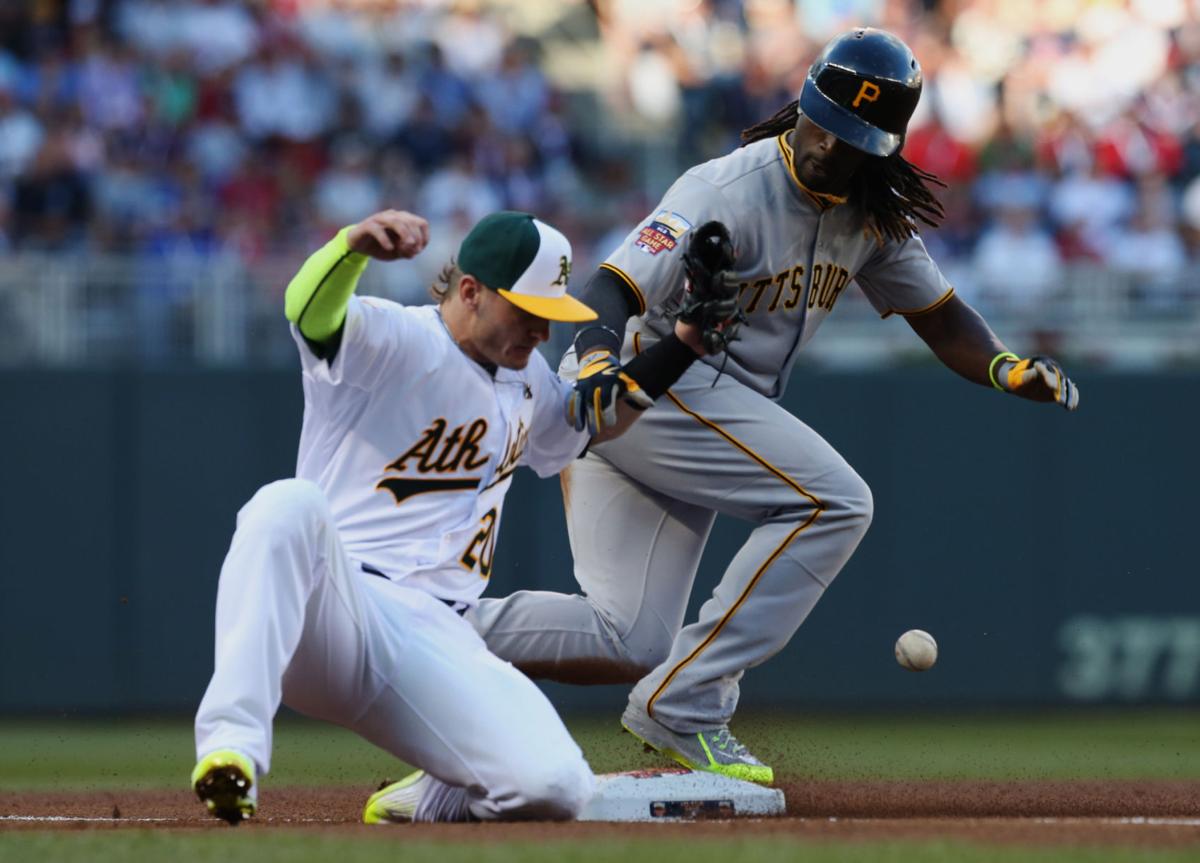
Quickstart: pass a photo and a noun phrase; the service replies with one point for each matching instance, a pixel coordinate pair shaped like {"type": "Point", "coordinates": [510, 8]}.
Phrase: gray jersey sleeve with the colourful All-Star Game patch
{"type": "Point", "coordinates": [650, 261]}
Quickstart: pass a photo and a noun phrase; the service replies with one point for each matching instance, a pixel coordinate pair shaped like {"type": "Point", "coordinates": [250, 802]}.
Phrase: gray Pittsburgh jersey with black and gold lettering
{"type": "Point", "coordinates": [795, 257]}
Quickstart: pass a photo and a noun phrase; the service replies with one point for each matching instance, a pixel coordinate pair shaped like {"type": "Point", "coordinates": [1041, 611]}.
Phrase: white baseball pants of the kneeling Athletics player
{"type": "Point", "coordinates": [299, 622]}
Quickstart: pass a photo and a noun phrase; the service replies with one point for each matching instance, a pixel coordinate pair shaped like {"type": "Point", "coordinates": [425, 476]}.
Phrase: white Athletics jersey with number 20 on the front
{"type": "Point", "coordinates": [415, 445]}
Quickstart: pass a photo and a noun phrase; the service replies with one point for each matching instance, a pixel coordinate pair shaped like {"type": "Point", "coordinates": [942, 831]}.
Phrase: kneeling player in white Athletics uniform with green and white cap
{"type": "Point", "coordinates": [344, 589]}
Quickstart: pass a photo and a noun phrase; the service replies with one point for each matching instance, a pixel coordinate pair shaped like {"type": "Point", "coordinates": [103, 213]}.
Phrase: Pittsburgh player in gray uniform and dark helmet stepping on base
{"type": "Point", "coordinates": [817, 199]}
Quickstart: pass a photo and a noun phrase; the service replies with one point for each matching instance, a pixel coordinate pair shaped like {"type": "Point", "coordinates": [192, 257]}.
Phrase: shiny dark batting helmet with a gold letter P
{"type": "Point", "coordinates": [863, 88]}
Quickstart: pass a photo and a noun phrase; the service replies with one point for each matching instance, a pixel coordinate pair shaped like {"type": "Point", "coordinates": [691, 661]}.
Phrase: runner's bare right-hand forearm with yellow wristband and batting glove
{"type": "Point", "coordinates": [962, 340]}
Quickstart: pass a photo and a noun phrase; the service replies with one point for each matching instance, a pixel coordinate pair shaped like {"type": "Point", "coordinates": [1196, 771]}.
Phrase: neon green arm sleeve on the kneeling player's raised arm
{"type": "Point", "coordinates": [317, 297]}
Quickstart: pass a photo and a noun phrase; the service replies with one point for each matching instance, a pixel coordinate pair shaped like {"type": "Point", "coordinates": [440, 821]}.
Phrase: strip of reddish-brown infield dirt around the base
{"type": "Point", "coordinates": [1129, 814]}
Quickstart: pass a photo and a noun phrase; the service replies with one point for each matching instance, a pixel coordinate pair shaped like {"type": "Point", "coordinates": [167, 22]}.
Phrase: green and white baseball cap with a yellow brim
{"type": "Point", "coordinates": [526, 262]}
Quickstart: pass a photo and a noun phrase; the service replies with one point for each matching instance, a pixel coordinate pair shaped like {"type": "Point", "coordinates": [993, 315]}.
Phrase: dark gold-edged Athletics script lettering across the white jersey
{"type": "Point", "coordinates": [443, 451]}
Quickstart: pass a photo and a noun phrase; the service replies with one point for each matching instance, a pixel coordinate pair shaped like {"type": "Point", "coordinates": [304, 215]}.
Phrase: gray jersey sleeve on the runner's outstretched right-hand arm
{"type": "Point", "coordinates": [902, 279]}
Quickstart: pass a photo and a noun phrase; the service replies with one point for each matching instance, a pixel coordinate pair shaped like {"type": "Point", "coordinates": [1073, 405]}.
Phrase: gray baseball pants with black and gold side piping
{"type": "Point", "coordinates": [639, 512]}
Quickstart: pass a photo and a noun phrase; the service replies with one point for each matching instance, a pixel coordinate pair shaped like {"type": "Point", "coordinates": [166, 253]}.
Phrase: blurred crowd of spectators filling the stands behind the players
{"type": "Point", "coordinates": [1067, 131]}
